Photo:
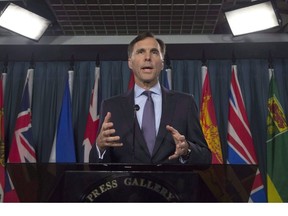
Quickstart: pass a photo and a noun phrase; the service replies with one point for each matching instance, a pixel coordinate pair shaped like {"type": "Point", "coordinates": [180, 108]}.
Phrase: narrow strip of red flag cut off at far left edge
{"type": "Point", "coordinates": [2, 144]}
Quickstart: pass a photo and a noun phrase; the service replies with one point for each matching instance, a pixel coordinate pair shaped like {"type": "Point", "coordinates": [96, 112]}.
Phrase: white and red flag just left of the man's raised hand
{"type": "Point", "coordinates": [93, 117]}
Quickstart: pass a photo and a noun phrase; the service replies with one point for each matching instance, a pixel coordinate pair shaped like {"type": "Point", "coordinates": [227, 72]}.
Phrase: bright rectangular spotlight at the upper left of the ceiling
{"type": "Point", "coordinates": [23, 22]}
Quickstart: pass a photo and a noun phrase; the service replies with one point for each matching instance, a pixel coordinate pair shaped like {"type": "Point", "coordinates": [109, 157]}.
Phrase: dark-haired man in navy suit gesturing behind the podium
{"type": "Point", "coordinates": [178, 135]}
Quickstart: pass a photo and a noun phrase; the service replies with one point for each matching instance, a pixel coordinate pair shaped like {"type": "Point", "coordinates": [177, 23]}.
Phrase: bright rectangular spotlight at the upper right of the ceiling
{"type": "Point", "coordinates": [257, 16]}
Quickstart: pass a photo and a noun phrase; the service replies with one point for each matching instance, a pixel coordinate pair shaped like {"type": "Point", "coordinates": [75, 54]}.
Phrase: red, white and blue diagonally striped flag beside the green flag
{"type": "Point", "coordinates": [240, 142]}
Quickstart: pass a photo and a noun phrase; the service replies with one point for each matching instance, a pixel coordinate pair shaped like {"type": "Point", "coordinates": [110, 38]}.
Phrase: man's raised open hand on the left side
{"type": "Point", "coordinates": [105, 137]}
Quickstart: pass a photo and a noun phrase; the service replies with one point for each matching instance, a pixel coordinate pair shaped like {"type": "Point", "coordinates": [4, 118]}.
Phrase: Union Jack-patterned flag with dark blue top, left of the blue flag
{"type": "Point", "coordinates": [22, 149]}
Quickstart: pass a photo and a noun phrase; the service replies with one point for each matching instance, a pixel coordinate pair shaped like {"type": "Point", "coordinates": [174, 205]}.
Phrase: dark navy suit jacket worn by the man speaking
{"type": "Point", "coordinates": [178, 110]}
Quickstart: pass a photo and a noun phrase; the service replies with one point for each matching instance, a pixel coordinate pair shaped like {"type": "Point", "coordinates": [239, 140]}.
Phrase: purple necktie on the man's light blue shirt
{"type": "Point", "coordinates": [148, 122]}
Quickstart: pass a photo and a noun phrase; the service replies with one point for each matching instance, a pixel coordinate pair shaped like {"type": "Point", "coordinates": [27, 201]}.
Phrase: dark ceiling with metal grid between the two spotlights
{"type": "Point", "coordinates": [130, 17]}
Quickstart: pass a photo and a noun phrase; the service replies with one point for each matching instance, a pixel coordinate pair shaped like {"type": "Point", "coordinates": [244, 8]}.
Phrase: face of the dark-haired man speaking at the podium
{"type": "Point", "coordinates": [146, 62]}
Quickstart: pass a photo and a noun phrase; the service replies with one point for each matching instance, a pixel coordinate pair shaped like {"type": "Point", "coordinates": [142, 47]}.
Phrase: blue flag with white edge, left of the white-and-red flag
{"type": "Point", "coordinates": [63, 150]}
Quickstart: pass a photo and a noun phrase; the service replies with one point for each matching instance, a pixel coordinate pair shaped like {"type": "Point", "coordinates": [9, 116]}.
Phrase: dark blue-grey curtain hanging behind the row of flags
{"type": "Point", "coordinates": [48, 89]}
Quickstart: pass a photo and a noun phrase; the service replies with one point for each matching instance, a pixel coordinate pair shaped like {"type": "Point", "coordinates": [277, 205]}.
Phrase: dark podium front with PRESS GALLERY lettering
{"type": "Point", "coordinates": [132, 183]}
